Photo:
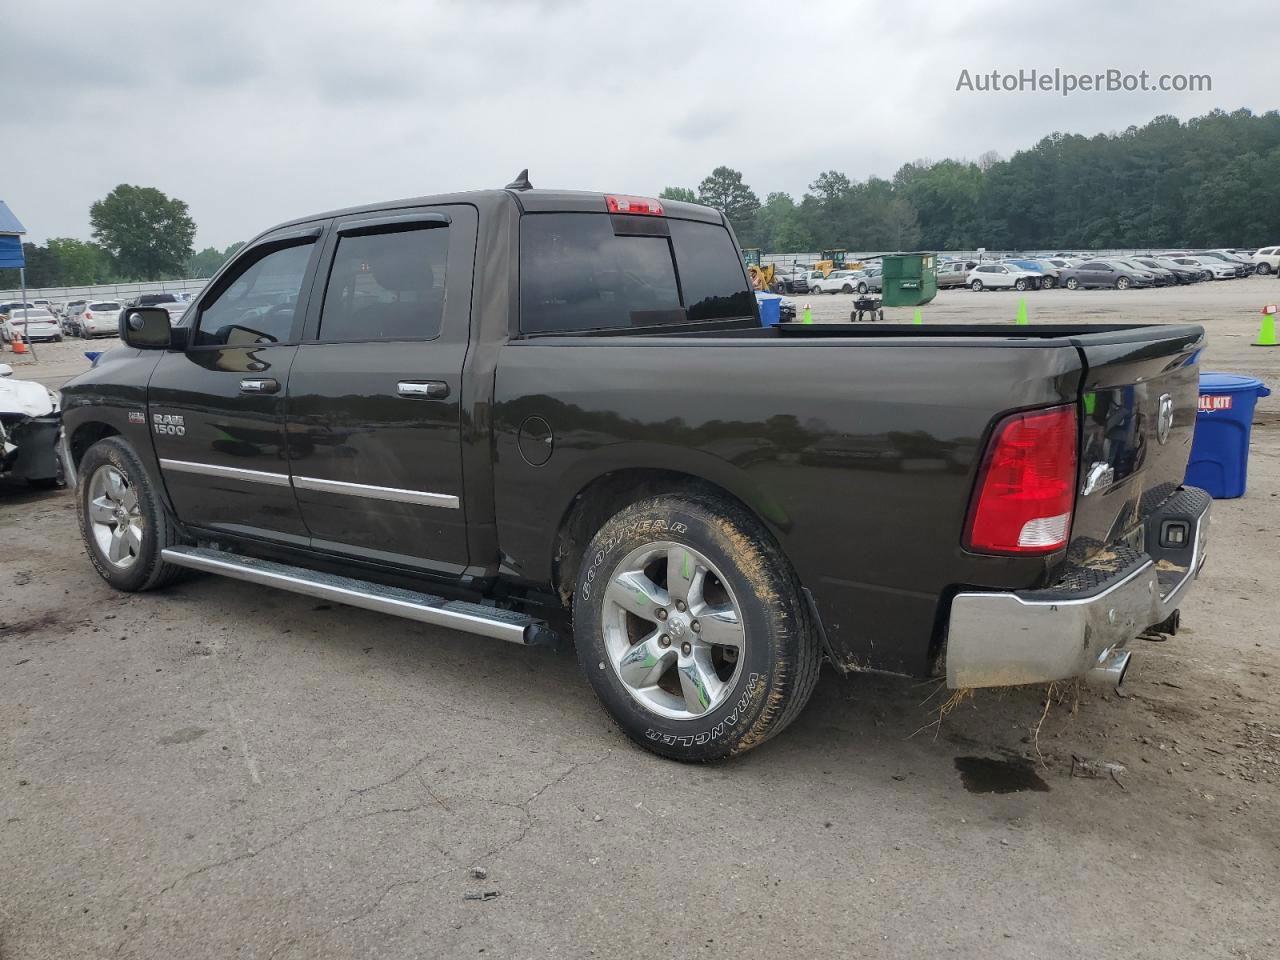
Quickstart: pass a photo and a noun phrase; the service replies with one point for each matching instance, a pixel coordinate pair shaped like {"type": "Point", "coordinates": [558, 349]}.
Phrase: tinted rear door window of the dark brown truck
{"type": "Point", "coordinates": [387, 286]}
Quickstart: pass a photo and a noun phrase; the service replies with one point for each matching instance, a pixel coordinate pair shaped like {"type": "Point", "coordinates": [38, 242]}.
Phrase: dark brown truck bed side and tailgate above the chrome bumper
{"type": "Point", "coordinates": [858, 445]}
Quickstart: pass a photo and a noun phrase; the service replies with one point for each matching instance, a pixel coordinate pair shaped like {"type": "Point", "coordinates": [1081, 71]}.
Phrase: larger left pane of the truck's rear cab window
{"type": "Point", "coordinates": [577, 275]}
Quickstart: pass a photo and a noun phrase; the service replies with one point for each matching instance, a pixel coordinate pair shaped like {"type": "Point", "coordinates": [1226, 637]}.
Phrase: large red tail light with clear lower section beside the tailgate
{"type": "Point", "coordinates": [1027, 484]}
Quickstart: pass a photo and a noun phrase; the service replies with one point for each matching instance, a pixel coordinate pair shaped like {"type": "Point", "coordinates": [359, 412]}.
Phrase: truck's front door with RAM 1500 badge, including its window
{"type": "Point", "coordinates": [217, 409]}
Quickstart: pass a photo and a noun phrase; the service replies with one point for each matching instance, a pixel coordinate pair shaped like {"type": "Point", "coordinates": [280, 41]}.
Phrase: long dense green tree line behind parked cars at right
{"type": "Point", "coordinates": [1209, 182]}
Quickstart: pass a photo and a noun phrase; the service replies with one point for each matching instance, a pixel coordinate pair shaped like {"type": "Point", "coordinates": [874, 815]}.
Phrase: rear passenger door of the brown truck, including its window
{"type": "Point", "coordinates": [376, 392]}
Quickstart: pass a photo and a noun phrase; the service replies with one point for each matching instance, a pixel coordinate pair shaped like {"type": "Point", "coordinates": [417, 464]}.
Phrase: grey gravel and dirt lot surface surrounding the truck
{"type": "Point", "coordinates": [226, 771]}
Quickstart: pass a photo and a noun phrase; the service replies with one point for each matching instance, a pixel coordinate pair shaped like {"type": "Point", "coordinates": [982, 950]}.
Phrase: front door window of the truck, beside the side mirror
{"type": "Point", "coordinates": [260, 303]}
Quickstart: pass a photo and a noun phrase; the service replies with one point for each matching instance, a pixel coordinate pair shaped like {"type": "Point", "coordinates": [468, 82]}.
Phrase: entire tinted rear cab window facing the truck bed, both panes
{"type": "Point", "coordinates": [578, 275]}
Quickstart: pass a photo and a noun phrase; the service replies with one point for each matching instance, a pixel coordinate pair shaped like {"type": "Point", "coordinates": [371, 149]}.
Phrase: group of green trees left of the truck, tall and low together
{"type": "Point", "coordinates": [139, 235]}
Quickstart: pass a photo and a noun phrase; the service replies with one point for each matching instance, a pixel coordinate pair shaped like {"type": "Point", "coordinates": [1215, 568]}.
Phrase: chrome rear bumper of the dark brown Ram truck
{"type": "Point", "coordinates": [1034, 637]}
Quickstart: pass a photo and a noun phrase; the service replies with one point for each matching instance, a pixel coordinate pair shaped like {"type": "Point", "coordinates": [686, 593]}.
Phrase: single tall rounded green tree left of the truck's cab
{"type": "Point", "coordinates": [147, 234]}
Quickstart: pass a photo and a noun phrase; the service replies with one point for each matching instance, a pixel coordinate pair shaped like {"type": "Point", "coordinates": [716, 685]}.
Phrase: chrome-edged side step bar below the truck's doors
{"type": "Point", "coordinates": [469, 618]}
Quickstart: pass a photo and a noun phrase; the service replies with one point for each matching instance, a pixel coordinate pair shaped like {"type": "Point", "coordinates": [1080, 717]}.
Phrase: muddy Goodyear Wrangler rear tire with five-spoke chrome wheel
{"type": "Point", "coordinates": [692, 628]}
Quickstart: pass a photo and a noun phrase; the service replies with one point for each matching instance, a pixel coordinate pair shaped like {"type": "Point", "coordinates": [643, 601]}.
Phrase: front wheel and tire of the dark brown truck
{"type": "Point", "coordinates": [124, 523]}
